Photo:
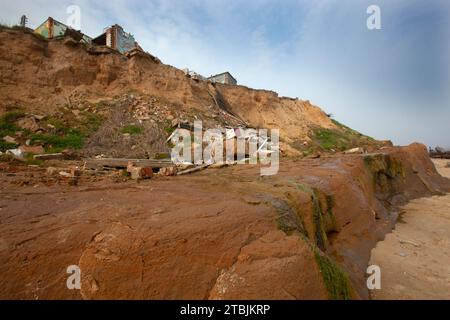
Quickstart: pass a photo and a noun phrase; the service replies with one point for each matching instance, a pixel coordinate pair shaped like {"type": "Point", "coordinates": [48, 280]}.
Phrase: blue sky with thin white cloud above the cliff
{"type": "Point", "coordinates": [390, 83]}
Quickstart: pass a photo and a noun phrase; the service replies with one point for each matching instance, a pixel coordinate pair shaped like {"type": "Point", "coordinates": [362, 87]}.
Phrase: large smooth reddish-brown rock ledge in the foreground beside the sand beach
{"type": "Point", "coordinates": [214, 234]}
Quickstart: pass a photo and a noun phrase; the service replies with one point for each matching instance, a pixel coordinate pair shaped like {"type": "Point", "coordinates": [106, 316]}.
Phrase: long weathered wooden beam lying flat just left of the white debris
{"type": "Point", "coordinates": [123, 163]}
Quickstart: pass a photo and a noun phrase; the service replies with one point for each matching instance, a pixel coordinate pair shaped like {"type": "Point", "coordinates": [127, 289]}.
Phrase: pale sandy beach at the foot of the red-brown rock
{"type": "Point", "coordinates": [415, 258]}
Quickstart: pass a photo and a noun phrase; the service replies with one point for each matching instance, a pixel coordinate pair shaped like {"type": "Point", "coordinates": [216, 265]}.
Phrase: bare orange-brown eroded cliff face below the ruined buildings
{"type": "Point", "coordinates": [40, 76]}
